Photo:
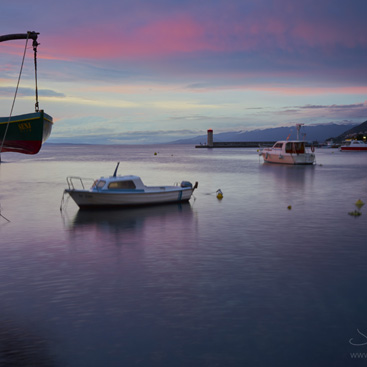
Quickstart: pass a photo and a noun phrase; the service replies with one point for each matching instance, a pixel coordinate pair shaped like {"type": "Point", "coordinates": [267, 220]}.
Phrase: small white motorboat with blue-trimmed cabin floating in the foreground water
{"type": "Point", "coordinates": [124, 191]}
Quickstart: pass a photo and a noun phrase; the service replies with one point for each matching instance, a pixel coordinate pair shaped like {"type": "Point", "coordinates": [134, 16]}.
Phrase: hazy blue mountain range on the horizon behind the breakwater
{"type": "Point", "coordinates": [318, 133]}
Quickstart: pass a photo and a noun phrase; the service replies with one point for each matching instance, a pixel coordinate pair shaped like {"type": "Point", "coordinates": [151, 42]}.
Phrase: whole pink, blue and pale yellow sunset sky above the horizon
{"type": "Point", "coordinates": [153, 71]}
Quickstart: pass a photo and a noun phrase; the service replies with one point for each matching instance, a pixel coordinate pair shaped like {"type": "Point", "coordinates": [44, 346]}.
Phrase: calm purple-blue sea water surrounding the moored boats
{"type": "Point", "coordinates": [242, 281]}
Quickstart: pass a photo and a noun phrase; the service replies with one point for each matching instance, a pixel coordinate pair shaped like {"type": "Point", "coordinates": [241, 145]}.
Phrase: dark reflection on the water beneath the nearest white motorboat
{"type": "Point", "coordinates": [133, 224]}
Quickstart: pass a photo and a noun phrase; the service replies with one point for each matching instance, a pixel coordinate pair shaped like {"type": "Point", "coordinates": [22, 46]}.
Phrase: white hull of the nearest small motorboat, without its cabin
{"type": "Point", "coordinates": [88, 200]}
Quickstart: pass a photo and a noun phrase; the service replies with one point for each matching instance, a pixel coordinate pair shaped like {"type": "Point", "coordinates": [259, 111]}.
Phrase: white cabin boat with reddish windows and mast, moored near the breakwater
{"type": "Point", "coordinates": [289, 152]}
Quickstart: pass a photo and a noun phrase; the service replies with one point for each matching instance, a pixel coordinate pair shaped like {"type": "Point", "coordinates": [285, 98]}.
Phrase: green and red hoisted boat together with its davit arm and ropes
{"type": "Point", "coordinates": [27, 132]}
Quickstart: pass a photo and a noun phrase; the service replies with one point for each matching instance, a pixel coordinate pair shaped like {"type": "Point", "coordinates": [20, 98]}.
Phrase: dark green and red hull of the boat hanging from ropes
{"type": "Point", "coordinates": [25, 133]}
